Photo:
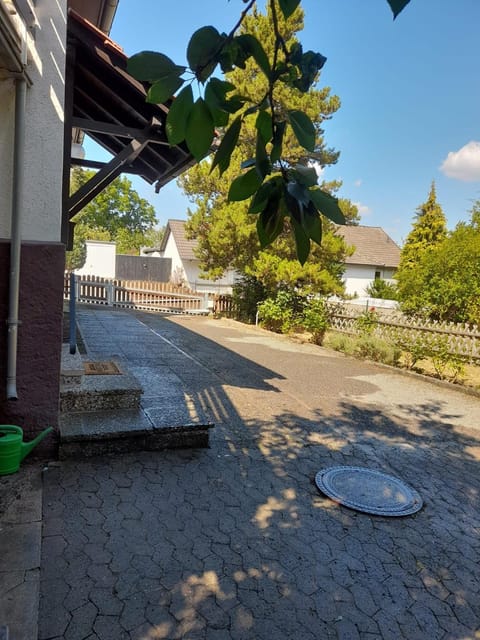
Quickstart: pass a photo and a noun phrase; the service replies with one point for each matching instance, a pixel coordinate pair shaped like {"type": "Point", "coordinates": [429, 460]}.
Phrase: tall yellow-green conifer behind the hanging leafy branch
{"type": "Point", "coordinates": [226, 231]}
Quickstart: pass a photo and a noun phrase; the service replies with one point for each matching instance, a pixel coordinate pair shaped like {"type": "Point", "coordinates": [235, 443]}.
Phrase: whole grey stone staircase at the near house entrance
{"type": "Point", "coordinates": [102, 414]}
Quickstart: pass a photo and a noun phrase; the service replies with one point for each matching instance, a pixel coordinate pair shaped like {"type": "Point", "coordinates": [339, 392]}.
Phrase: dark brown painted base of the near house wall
{"type": "Point", "coordinates": [39, 340]}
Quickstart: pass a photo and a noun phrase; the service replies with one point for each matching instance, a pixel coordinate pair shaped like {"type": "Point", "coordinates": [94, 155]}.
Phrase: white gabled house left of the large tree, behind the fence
{"type": "Point", "coordinates": [185, 264]}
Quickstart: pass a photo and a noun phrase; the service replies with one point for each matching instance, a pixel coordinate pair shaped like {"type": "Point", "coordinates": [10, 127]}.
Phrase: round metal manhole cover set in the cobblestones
{"type": "Point", "coordinates": [369, 491]}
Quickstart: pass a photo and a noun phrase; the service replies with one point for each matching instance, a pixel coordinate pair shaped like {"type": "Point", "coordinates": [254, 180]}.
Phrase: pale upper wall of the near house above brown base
{"type": "Point", "coordinates": [41, 201]}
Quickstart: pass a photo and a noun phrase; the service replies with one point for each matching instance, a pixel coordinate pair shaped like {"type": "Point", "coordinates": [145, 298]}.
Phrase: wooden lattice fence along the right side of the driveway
{"type": "Point", "coordinates": [460, 339]}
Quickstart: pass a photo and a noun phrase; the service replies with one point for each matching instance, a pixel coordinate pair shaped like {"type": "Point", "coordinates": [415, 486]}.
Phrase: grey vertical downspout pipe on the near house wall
{"type": "Point", "coordinates": [15, 241]}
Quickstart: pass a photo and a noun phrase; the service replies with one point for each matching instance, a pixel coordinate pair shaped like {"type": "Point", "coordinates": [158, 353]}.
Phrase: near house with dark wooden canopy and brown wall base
{"type": "Point", "coordinates": [60, 76]}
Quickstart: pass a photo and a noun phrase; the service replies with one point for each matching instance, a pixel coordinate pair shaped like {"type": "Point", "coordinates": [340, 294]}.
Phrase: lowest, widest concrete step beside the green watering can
{"type": "Point", "coordinates": [86, 434]}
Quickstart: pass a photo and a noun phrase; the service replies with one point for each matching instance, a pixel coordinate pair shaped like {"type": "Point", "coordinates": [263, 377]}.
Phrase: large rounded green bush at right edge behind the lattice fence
{"type": "Point", "coordinates": [445, 284]}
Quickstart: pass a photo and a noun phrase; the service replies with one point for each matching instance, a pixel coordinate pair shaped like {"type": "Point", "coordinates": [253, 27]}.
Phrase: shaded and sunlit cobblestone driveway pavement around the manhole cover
{"type": "Point", "coordinates": [235, 541]}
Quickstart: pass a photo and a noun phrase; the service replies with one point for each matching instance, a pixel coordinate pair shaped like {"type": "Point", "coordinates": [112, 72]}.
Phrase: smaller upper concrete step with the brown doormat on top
{"type": "Point", "coordinates": [99, 392]}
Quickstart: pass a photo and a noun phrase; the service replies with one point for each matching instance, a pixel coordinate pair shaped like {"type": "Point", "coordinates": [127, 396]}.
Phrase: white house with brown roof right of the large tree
{"type": "Point", "coordinates": [376, 255]}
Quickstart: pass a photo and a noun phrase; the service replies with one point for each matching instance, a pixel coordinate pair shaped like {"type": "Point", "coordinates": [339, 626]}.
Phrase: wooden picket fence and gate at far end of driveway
{"type": "Point", "coordinates": [134, 294]}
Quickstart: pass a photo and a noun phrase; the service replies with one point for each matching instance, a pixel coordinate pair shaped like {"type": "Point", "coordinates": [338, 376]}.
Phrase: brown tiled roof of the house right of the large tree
{"type": "Point", "coordinates": [372, 246]}
